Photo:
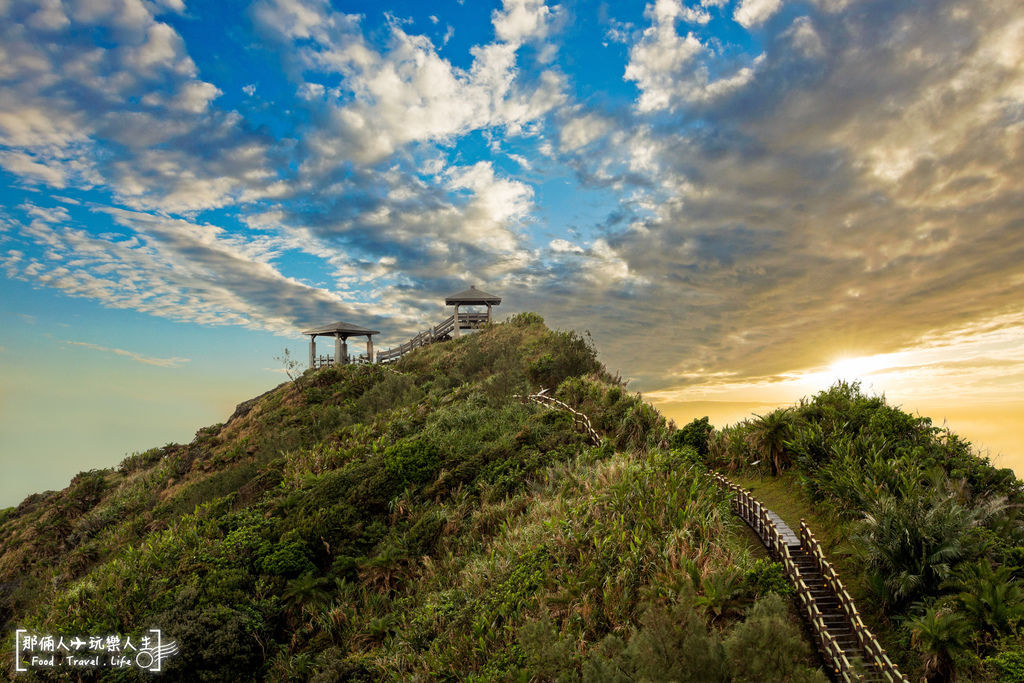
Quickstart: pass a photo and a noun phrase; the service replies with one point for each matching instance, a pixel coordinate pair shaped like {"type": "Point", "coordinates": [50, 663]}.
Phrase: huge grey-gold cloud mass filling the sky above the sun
{"type": "Point", "coordinates": [869, 193]}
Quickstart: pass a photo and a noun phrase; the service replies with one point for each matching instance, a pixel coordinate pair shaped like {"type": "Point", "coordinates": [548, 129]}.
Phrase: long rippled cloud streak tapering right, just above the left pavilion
{"type": "Point", "coordinates": [176, 270]}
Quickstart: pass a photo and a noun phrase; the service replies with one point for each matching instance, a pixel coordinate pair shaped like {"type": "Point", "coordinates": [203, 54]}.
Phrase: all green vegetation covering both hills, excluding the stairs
{"type": "Point", "coordinates": [423, 522]}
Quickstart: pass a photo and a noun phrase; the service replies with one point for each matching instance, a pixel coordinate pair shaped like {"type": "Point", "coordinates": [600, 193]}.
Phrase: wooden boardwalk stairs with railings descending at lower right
{"type": "Point", "coordinates": [851, 652]}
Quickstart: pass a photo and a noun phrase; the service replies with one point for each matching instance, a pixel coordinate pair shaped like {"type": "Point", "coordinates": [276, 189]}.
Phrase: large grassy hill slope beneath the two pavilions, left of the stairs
{"type": "Point", "coordinates": [414, 523]}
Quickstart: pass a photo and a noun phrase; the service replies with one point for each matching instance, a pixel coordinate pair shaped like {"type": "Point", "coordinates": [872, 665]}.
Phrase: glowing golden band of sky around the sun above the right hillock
{"type": "Point", "coordinates": [968, 380]}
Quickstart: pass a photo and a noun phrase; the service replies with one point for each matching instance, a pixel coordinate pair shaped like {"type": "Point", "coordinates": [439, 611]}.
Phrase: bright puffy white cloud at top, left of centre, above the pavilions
{"type": "Point", "coordinates": [410, 94]}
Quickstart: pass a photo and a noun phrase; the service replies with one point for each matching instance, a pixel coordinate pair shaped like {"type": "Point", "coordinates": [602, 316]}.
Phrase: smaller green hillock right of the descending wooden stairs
{"type": "Point", "coordinates": [928, 536]}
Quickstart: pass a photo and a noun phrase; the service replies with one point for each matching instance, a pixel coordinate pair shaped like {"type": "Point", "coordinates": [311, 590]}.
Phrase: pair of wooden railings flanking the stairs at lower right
{"type": "Point", "coordinates": [755, 515]}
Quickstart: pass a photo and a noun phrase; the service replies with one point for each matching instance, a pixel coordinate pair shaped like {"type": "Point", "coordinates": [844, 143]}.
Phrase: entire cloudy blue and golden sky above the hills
{"type": "Point", "coordinates": [742, 201]}
